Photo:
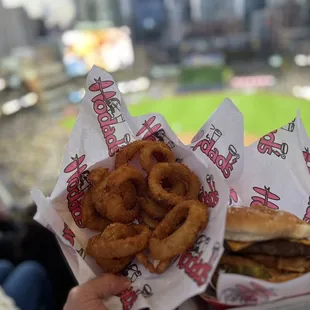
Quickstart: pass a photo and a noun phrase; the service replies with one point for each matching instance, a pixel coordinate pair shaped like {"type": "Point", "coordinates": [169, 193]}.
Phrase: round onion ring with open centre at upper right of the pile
{"type": "Point", "coordinates": [177, 171]}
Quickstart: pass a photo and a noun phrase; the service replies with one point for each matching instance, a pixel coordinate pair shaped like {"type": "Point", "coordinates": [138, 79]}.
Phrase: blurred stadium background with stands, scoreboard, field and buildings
{"type": "Point", "coordinates": [180, 58]}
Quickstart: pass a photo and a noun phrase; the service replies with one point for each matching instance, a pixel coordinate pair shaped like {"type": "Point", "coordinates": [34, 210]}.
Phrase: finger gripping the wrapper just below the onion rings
{"type": "Point", "coordinates": [107, 285]}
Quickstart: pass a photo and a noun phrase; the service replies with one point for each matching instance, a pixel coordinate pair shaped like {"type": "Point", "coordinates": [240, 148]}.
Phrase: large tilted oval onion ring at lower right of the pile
{"type": "Point", "coordinates": [169, 239]}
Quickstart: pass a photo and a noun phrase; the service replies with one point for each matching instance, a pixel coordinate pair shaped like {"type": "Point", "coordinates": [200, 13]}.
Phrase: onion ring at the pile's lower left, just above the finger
{"type": "Point", "coordinates": [121, 247]}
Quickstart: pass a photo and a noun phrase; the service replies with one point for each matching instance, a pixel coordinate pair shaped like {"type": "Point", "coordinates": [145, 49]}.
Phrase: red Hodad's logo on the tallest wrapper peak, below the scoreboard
{"type": "Point", "coordinates": [108, 110]}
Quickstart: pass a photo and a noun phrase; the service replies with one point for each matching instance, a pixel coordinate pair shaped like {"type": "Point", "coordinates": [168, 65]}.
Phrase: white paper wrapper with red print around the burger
{"type": "Point", "coordinates": [275, 174]}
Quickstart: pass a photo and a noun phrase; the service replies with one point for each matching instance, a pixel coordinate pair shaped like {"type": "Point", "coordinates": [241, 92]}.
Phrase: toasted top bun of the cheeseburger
{"type": "Point", "coordinates": [259, 223]}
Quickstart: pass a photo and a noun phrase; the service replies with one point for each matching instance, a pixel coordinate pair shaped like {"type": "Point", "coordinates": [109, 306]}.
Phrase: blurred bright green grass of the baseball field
{"type": "Point", "coordinates": [262, 111]}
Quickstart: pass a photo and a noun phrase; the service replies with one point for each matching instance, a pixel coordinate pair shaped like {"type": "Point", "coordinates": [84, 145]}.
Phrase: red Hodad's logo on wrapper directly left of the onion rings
{"type": "Point", "coordinates": [77, 184]}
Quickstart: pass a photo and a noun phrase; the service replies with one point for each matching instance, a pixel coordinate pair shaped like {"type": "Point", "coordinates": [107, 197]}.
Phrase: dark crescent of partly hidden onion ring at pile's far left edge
{"type": "Point", "coordinates": [90, 217]}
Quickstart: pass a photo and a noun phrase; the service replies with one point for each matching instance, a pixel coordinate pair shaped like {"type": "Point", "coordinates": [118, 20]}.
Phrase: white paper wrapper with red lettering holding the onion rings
{"type": "Point", "coordinates": [104, 126]}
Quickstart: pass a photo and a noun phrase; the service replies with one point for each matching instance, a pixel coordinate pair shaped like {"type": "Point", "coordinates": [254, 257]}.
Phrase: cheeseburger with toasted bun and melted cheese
{"type": "Point", "coordinates": [265, 244]}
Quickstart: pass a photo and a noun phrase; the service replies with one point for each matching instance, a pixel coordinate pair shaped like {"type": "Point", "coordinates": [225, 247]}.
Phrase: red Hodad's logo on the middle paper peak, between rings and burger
{"type": "Point", "coordinates": [207, 146]}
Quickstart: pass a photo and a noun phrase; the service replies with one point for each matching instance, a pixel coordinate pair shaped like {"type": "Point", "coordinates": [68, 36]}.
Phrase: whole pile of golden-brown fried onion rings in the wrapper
{"type": "Point", "coordinates": [151, 214]}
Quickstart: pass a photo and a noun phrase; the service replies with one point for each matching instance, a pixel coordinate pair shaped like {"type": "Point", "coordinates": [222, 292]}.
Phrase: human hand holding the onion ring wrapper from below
{"type": "Point", "coordinates": [90, 294]}
